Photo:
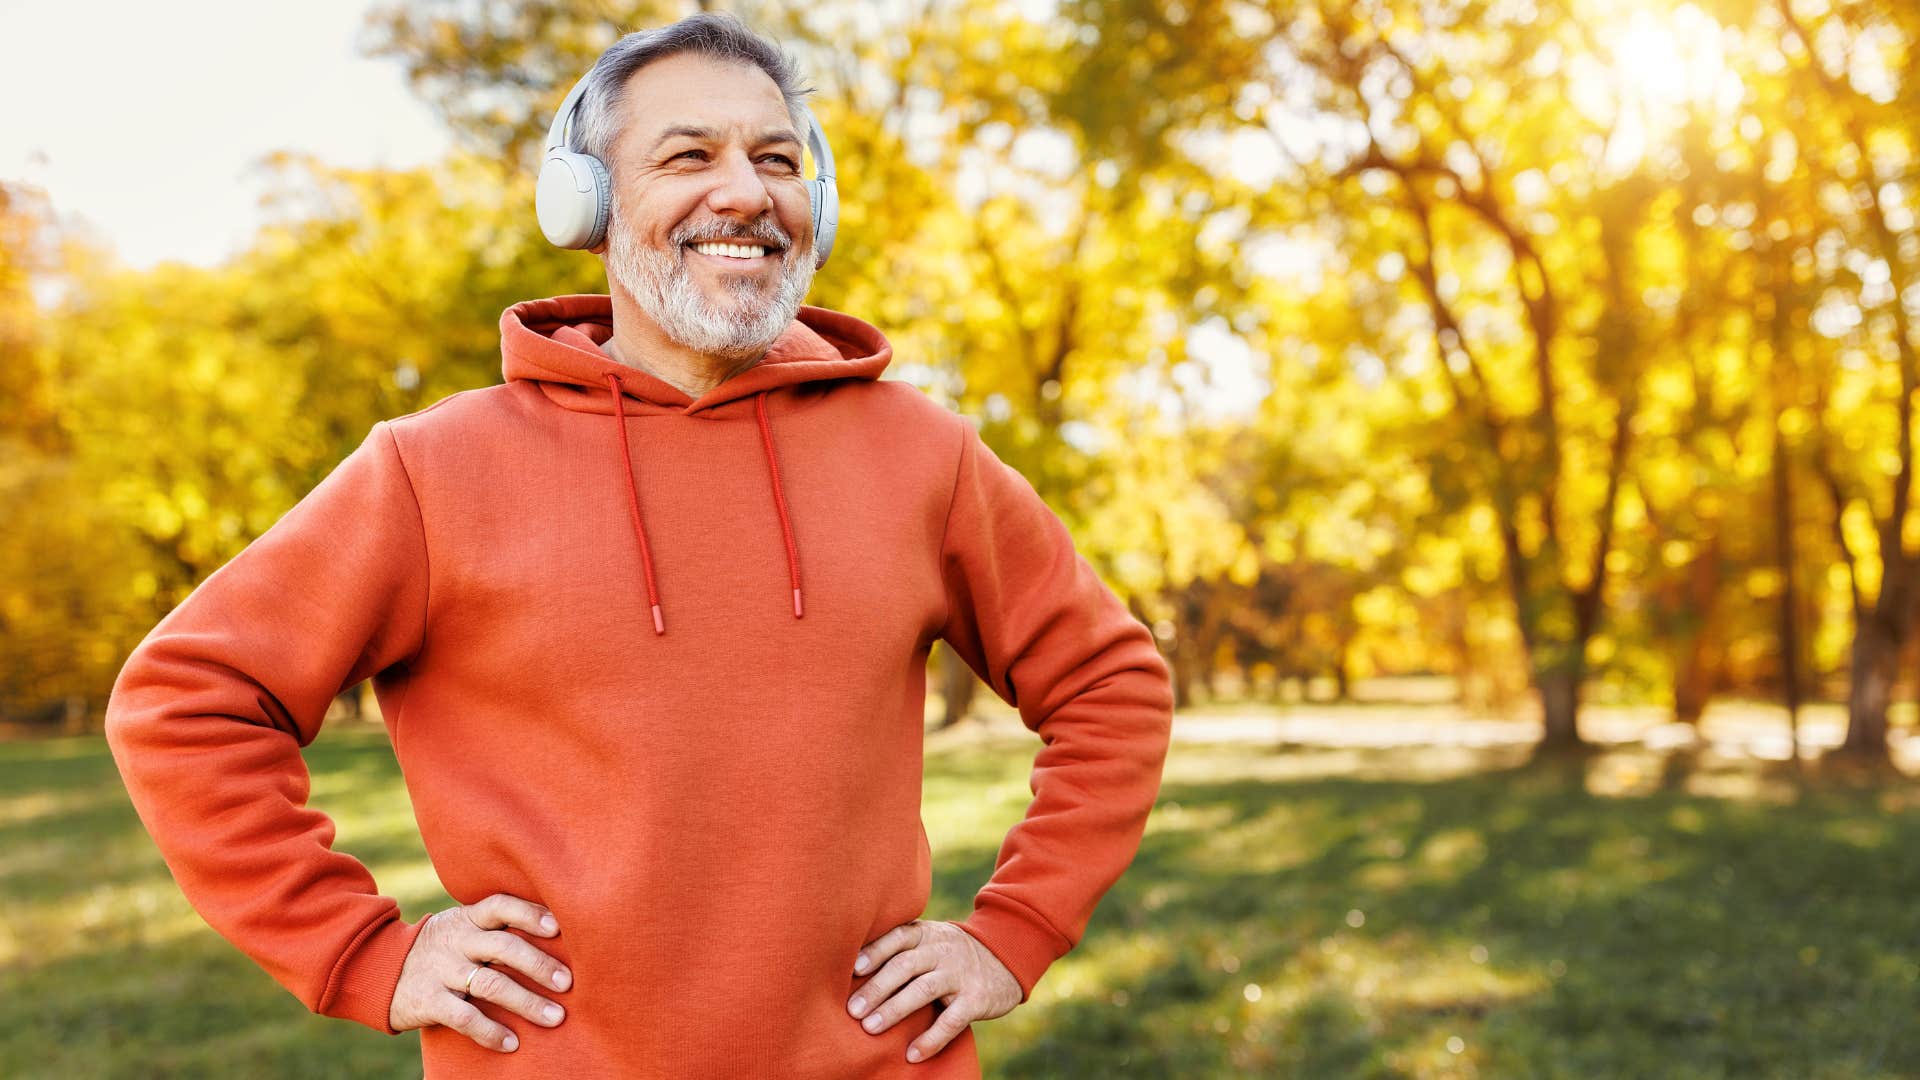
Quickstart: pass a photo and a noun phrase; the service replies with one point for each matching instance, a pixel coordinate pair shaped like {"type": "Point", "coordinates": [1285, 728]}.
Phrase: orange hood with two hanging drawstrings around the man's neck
{"type": "Point", "coordinates": [556, 345]}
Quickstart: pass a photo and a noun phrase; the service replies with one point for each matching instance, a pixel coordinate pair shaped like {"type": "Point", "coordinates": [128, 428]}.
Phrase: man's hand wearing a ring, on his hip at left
{"type": "Point", "coordinates": [452, 945]}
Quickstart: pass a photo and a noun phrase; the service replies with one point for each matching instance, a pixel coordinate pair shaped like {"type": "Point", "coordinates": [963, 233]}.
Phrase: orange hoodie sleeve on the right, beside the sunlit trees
{"type": "Point", "coordinates": [1034, 620]}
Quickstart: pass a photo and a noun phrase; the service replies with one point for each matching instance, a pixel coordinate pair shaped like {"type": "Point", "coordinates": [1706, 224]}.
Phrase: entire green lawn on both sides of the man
{"type": "Point", "coordinates": [1291, 914]}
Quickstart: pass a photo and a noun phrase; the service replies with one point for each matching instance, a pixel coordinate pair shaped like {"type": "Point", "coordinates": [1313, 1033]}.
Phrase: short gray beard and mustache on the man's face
{"type": "Point", "coordinates": [665, 289]}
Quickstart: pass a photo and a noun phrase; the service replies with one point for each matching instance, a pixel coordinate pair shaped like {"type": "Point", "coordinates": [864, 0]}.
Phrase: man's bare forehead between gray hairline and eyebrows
{"type": "Point", "coordinates": [704, 91]}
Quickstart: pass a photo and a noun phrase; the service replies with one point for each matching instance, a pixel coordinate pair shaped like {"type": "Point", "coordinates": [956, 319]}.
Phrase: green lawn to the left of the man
{"type": "Point", "coordinates": [105, 981]}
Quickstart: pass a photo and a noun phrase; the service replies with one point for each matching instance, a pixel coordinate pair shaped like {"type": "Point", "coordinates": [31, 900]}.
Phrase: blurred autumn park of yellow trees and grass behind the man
{"type": "Point", "coordinates": [1500, 412]}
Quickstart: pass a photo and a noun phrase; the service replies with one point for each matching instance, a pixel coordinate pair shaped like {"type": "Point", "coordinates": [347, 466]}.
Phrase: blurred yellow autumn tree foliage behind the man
{"type": "Point", "coordinates": [1360, 470]}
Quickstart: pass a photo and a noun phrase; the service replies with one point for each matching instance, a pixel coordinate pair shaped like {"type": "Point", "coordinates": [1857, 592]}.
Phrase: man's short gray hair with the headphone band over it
{"type": "Point", "coordinates": [713, 34]}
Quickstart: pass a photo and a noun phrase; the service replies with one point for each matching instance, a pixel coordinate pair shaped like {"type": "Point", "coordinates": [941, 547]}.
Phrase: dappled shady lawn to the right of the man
{"type": "Point", "coordinates": [1506, 920]}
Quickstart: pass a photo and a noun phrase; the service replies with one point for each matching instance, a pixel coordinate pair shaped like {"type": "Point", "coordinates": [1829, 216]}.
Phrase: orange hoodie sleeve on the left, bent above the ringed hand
{"type": "Point", "coordinates": [210, 714]}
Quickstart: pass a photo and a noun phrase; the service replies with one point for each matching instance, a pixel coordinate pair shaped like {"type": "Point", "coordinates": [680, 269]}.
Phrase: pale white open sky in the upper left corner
{"type": "Point", "coordinates": [143, 120]}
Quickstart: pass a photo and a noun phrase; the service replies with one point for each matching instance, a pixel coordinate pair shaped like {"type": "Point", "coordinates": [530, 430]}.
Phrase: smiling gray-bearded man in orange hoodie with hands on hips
{"type": "Point", "coordinates": [650, 627]}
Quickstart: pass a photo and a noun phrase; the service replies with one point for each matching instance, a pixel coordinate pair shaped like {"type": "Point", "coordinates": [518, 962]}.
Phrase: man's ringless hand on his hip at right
{"type": "Point", "coordinates": [951, 968]}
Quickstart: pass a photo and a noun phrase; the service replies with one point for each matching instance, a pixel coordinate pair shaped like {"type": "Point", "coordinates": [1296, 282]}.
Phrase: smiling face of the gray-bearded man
{"type": "Point", "coordinates": [709, 155]}
